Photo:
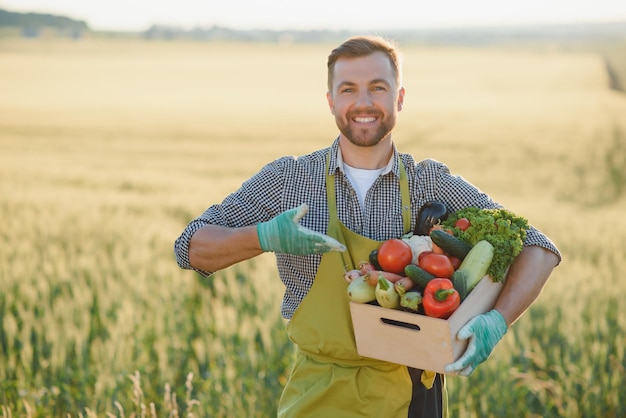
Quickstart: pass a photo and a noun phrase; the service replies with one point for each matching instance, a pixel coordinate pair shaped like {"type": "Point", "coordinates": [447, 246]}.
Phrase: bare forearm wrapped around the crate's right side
{"type": "Point", "coordinates": [525, 281]}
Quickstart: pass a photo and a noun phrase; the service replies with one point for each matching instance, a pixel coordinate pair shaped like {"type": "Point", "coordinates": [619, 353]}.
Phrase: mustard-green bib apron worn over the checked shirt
{"type": "Point", "coordinates": [329, 378]}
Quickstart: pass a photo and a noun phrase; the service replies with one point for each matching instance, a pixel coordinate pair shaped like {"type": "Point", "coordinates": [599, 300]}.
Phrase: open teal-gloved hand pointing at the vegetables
{"type": "Point", "coordinates": [284, 234]}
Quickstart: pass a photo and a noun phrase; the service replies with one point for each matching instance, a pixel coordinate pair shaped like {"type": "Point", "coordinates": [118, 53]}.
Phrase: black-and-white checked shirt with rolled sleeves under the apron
{"type": "Point", "coordinates": [290, 181]}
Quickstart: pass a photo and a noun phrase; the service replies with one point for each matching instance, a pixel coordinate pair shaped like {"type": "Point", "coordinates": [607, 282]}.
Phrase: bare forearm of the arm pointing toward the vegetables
{"type": "Point", "coordinates": [216, 247]}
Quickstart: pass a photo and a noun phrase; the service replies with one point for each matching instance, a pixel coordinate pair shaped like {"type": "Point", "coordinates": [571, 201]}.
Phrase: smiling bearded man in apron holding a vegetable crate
{"type": "Point", "coordinates": [322, 213]}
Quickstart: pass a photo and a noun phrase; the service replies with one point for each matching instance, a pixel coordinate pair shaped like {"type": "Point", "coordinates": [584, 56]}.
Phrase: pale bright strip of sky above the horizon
{"type": "Point", "coordinates": [139, 15]}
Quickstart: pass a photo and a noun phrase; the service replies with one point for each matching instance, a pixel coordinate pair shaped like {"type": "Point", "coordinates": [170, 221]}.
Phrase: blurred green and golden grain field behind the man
{"type": "Point", "coordinates": [109, 147]}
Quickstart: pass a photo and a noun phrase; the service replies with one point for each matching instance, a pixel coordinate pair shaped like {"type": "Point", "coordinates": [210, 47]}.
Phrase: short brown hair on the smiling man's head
{"type": "Point", "coordinates": [361, 46]}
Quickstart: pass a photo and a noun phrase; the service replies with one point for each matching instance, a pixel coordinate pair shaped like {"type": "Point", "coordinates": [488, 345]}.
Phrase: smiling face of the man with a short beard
{"type": "Point", "coordinates": [365, 98]}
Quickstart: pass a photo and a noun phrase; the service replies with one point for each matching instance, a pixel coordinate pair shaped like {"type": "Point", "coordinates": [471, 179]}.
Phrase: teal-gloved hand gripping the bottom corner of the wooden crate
{"type": "Point", "coordinates": [484, 331]}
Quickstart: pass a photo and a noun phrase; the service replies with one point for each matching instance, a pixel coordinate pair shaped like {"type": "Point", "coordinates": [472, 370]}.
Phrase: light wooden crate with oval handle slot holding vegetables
{"type": "Point", "coordinates": [417, 340]}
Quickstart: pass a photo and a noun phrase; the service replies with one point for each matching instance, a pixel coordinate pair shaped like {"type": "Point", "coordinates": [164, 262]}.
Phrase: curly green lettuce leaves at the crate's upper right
{"type": "Point", "coordinates": [505, 230]}
